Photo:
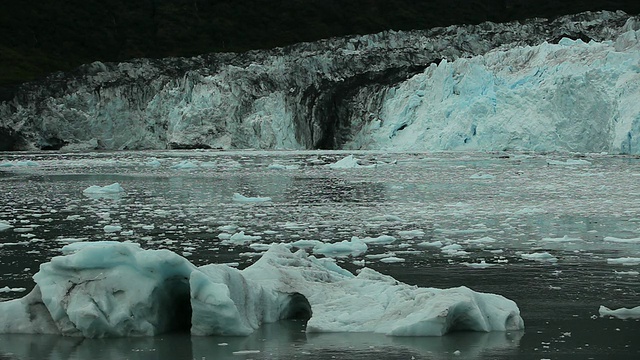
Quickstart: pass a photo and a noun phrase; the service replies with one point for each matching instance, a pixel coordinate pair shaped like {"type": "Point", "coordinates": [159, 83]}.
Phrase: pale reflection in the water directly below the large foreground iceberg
{"type": "Point", "coordinates": [283, 340]}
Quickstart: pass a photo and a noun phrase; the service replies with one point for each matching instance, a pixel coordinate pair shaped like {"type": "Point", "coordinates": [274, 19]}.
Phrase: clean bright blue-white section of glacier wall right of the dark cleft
{"type": "Point", "coordinates": [570, 96]}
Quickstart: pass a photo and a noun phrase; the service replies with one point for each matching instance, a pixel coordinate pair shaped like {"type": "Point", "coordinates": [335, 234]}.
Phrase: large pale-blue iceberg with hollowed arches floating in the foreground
{"type": "Point", "coordinates": [104, 289]}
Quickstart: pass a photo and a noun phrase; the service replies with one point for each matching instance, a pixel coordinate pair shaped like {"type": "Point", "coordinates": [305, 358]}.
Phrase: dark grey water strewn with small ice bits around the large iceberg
{"type": "Point", "coordinates": [497, 207]}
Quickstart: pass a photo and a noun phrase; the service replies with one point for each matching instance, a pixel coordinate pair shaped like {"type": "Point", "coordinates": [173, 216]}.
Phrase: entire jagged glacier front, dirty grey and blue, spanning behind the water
{"type": "Point", "coordinates": [570, 84]}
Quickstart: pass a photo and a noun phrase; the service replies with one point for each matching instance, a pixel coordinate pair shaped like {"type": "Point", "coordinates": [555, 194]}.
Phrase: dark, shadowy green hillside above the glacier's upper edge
{"type": "Point", "coordinates": [39, 37]}
